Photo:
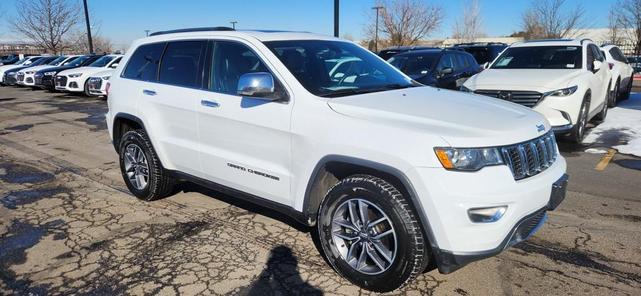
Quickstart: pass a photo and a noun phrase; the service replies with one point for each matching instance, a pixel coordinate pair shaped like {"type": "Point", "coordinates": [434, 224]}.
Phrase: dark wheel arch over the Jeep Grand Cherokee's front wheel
{"type": "Point", "coordinates": [332, 168]}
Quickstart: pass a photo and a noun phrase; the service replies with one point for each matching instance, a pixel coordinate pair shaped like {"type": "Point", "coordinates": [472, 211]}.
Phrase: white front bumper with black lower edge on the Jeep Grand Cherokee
{"type": "Point", "coordinates": [446, 196]}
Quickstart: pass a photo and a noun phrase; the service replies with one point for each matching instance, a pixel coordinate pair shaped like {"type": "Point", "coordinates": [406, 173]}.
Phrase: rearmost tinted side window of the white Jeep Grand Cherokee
{"type": "Point", "coordinates": [143, 64]}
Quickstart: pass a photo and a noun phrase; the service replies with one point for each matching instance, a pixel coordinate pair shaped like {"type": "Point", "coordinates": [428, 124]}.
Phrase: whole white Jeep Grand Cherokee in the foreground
{"type": "Point", "coordinates": [392, 174]}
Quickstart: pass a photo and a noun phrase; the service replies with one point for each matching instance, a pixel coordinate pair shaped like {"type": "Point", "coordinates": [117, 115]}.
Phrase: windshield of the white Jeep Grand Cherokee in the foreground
{"type": "Point", "coordinates": [336, 68]}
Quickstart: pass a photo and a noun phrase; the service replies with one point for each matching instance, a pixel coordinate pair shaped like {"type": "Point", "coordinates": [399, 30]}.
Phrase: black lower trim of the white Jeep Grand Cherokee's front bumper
{"type": "Point", "coordinates": [448, 262]}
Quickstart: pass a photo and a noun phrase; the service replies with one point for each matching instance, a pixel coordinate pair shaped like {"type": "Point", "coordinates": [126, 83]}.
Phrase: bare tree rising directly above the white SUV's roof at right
{"type": "Point", "coordinates": [550, 19]}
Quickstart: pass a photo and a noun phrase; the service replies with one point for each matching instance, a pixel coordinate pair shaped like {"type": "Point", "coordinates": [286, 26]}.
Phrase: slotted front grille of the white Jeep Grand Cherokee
{"type": "Point", "coordinates": [532, 157]}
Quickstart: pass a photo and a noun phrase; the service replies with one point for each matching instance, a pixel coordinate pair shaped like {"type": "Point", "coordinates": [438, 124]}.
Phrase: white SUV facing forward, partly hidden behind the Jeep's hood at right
{"type": "Point", "coordinates": [566, 80]}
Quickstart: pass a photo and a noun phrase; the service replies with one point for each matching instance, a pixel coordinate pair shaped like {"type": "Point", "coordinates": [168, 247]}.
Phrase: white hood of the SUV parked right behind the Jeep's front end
{"type": "Point", "coordinates": [523, 79]}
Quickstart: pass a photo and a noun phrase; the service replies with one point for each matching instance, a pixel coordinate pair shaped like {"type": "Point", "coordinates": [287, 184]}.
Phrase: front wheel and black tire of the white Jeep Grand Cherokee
{"type": "Point", "coordinates": [411, 248]}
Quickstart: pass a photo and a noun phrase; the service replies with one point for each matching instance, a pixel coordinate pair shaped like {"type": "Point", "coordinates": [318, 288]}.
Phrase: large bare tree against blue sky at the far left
{"type": "Point", "coordinates": [45, 22]}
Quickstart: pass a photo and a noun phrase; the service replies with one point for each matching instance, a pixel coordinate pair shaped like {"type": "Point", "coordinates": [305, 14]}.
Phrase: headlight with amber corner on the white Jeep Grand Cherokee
{"type": "Point", "coordinates": [468, 159]}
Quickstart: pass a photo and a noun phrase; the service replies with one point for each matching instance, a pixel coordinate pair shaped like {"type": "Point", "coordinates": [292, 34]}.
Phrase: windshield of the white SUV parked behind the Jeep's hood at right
{"type": "Point", "coordinates": [540, 57]}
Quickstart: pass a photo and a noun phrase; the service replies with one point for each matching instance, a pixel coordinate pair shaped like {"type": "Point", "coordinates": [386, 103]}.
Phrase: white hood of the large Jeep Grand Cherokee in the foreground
{"type": "Point", "coordinates": [461, 119]}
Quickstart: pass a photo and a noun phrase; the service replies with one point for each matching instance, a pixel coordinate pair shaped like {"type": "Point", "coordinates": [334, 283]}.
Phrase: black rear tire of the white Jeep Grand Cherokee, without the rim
{"type": "Point", "coordinates": [158, 184]}
